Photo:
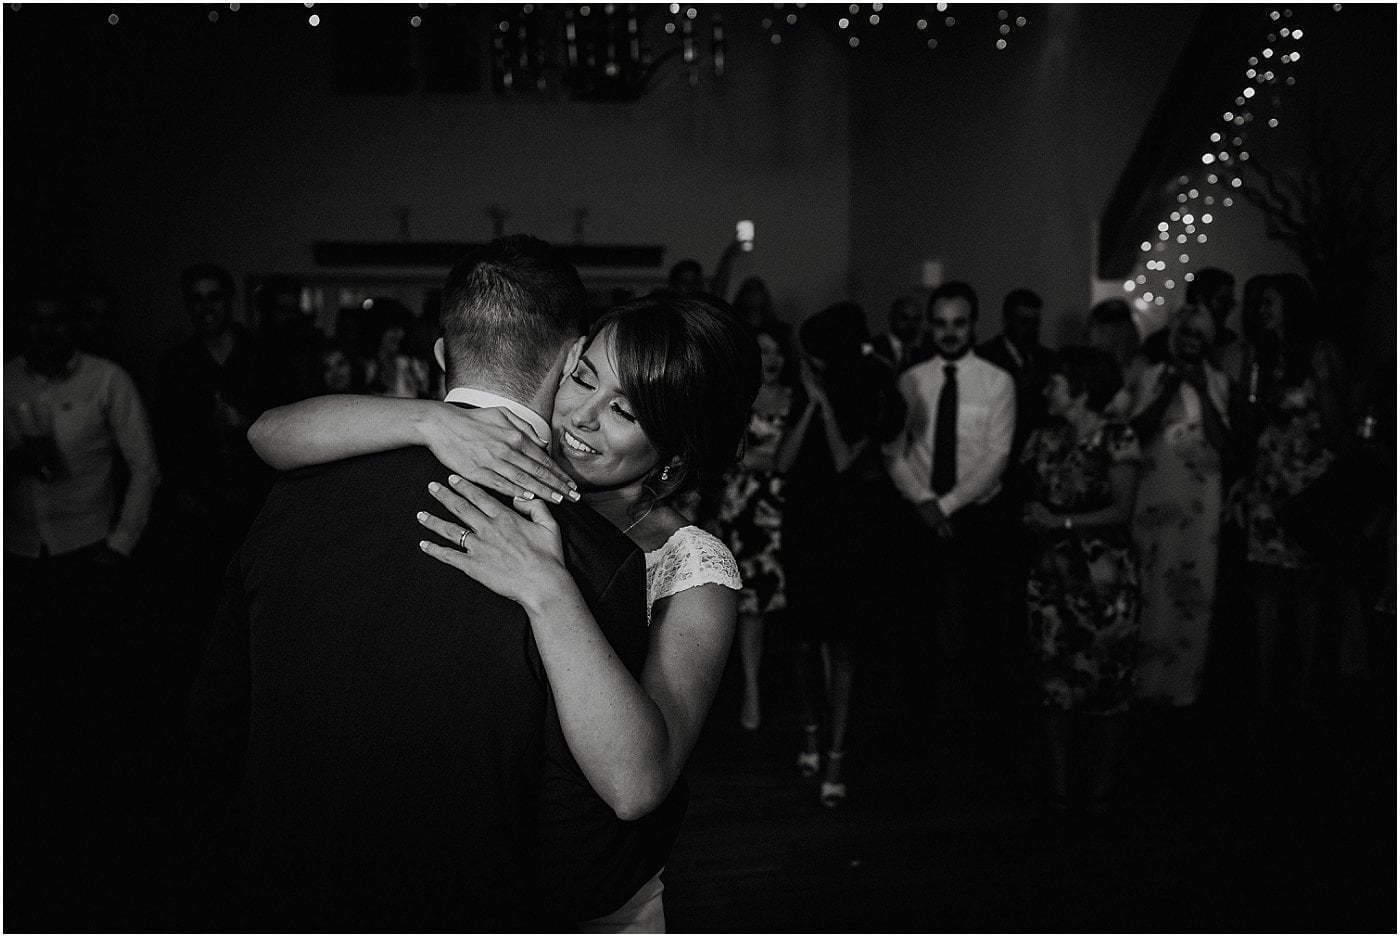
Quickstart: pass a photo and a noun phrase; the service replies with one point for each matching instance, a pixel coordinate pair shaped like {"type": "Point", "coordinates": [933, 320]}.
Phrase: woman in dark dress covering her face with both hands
{"type": "Point", "coordinates": [831, 533]}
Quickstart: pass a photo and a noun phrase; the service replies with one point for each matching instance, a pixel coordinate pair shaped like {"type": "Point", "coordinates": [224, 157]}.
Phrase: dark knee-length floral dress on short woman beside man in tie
{"type": "Point", "coordinates": [1083, 593]}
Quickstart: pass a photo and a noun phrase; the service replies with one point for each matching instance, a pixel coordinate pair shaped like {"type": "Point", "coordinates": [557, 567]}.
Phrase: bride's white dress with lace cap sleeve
{"type": "Point", "coordinates": [689, 558]}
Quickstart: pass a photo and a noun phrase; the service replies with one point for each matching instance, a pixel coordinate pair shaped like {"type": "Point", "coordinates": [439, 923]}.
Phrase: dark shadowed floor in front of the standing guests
{"type": "Point", "coordinates": [1227, 821]}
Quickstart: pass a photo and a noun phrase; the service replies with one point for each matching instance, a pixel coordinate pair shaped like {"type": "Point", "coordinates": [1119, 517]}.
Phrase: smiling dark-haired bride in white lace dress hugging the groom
{"type": "Point", "coordinates": [652, 403]}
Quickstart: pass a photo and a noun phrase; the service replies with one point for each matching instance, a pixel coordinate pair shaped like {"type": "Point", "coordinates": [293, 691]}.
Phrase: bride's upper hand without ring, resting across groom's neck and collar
{"type": "Point", "coordinates": [496, 449]}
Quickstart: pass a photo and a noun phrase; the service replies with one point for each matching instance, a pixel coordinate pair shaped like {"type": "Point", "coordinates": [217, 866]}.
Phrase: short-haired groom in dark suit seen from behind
{"type": "Point", "coordinates": [388, 719]}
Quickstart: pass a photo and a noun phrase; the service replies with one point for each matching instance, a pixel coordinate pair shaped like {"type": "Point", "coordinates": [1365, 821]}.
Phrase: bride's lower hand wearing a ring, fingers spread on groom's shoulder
{"type": "Point", "coordinates": [520, 558]}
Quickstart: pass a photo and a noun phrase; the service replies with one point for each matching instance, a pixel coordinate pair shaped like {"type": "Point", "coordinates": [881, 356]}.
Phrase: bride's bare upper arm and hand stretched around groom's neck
{"type": "Point", "coordinates": [489, 446]}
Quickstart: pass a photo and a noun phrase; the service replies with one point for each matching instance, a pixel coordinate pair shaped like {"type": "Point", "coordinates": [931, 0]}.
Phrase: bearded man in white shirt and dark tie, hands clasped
{"type": "Point", "coordinates": [948, 466]}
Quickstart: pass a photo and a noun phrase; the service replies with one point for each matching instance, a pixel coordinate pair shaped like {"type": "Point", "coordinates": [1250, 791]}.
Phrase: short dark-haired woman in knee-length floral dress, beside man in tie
{"type": "Point", "coordinates": [1083, 593]}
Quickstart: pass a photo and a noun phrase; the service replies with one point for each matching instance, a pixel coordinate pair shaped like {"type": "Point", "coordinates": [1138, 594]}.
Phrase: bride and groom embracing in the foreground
{"type": "Point", "coordinates": [465, 652]}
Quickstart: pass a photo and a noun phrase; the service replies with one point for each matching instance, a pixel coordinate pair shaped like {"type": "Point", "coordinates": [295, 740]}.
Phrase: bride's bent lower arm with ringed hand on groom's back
{"type": "Point", "coordinates": [631, 739]}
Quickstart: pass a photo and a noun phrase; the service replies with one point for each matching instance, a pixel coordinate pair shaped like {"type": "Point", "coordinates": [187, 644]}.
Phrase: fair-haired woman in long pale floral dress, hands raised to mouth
{"type": "Point", "coordinates": [1181, 415]}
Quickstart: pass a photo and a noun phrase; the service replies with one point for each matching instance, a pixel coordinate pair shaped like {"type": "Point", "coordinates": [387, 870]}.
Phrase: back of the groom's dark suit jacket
{"type": "Point", "coordinates": [398, 709]}
